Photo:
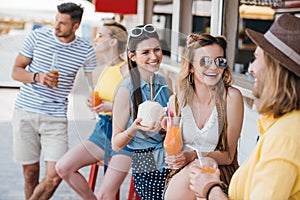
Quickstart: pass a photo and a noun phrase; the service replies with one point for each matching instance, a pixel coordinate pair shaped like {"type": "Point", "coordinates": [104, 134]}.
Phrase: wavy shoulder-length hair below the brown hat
{"type": "Point", "coordinates": [283, 92]}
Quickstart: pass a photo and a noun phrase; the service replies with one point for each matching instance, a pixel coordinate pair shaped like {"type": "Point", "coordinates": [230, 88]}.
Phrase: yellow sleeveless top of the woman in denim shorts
{"type": "Point", "coordinates": [108, 82]}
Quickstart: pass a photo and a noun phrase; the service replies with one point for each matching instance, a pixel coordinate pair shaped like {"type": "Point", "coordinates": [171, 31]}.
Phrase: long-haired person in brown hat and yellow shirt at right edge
{"type": "Point", "coordinates": [272, 171]}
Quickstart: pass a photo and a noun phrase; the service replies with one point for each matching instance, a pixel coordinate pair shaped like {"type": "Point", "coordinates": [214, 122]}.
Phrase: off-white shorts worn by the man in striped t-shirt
{"type": "Point", "coordinates": [35, 132]}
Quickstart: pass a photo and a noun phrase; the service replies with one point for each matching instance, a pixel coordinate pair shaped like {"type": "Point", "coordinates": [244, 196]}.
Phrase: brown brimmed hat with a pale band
{"type": "Point", "coordinates": [281, 41]}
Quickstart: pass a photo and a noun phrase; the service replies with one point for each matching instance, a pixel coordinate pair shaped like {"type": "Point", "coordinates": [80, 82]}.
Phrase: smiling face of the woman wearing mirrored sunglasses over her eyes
{"type": "Point", "coordinates": [211, 75]}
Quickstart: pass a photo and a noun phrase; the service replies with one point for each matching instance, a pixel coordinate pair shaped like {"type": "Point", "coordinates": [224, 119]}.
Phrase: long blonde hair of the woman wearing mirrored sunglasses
{"type": "Point", "coordinates": [186, 85]}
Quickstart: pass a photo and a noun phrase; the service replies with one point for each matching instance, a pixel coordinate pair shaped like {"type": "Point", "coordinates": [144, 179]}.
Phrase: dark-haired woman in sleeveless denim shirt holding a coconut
{"type": "Point", "coordinates": [144, 59]}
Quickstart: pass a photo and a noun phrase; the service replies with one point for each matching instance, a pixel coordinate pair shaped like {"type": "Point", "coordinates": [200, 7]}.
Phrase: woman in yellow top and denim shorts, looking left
{"type": "Point", "coordinates": [110, 44]}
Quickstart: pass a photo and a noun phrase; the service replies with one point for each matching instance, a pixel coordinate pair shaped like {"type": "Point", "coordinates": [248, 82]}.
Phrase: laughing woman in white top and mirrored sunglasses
{"type": "Point", "coordinates": [211, 111]}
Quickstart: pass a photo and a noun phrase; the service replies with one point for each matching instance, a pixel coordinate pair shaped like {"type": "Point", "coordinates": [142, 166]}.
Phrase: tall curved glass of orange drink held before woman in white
{"type": "Point", "coordinates": [173, 141]}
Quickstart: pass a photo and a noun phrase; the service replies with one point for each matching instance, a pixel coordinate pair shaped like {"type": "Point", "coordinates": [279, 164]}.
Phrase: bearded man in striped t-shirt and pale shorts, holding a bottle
{"type": "Point", "coordinates": [40, 119]}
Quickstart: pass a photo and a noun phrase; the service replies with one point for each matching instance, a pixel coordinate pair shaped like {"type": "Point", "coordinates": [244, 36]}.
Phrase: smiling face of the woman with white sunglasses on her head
{"type": "Point", "coordinates": [148, 55]}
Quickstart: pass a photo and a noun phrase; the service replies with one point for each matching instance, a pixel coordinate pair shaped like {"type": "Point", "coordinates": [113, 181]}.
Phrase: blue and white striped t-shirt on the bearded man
{"type": "Point", "coordinates": [40, 46]}
